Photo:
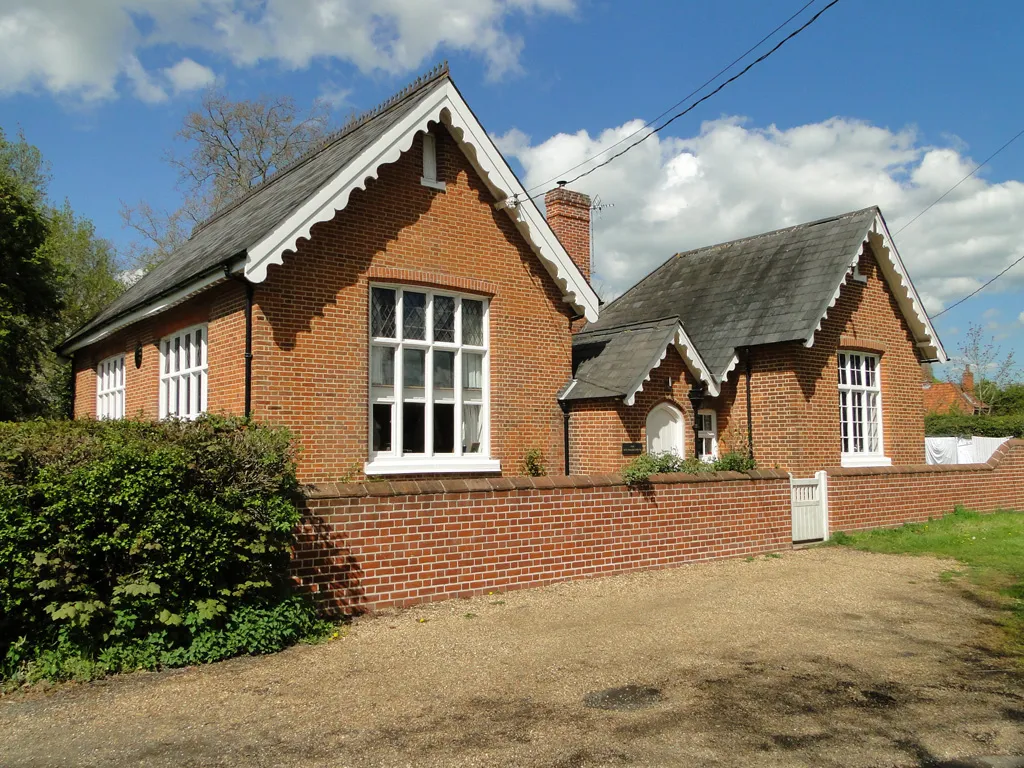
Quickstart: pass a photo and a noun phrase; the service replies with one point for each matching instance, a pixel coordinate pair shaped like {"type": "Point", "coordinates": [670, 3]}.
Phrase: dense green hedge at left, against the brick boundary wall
{"type": "Point", "coordinates": [129, 545]}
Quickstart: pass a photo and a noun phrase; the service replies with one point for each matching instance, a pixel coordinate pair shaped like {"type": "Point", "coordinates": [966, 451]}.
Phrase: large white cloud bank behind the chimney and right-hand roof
{"type": "Point", "coordinates": [733, 180]}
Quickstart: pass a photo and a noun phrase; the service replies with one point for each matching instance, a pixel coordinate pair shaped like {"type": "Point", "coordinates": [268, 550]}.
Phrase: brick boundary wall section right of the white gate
{"type": "Point", "coordinates": [880, 497]}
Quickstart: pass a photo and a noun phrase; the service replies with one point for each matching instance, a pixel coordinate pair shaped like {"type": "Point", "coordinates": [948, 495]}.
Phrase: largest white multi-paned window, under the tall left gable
{"type": "Point", "coordinates": [429, 382]}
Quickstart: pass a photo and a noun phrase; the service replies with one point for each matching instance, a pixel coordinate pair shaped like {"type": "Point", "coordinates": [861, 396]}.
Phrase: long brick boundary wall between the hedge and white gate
{"type": "Point", "coordinates": [369, 546]}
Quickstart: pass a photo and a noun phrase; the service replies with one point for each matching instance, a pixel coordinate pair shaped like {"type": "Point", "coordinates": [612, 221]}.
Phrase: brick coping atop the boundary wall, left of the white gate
{"type": "Point", "coordinates": [488, 485]}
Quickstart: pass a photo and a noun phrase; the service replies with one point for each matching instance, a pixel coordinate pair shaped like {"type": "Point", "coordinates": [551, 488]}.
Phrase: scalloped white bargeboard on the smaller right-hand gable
{"type": "Point", "coordinates": [900, 283]}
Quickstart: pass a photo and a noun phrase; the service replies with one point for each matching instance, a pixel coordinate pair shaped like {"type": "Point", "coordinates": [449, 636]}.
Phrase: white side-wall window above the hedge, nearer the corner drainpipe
{"type": "Point", "coordinates": [191, 401]}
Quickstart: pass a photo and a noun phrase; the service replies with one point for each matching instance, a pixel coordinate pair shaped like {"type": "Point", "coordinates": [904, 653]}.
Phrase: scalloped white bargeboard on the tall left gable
{"type": "Point", "coordinates": [444, 105]}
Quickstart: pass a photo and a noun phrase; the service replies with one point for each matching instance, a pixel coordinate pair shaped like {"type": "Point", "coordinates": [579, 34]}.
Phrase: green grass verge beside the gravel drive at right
{"type": "Point", "coordinates": [991, 547]}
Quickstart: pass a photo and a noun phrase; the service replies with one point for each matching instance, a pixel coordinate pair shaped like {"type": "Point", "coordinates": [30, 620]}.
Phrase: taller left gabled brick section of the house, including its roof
{"type": "Point", "coordinates": [380, 297]}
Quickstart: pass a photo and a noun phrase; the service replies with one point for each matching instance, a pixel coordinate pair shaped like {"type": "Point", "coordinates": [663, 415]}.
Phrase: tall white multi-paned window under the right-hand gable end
{"type": "Point", "coordinates": [856, 371]}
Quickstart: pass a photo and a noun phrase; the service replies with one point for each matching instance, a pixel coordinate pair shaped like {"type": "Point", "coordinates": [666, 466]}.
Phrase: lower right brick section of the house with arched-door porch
{"type": "Point", "coordinates": [802, 348]}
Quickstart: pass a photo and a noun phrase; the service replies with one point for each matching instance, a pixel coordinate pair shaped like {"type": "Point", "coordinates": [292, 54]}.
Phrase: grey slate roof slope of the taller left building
{"type": "Point", "coordinates": [227, 236]}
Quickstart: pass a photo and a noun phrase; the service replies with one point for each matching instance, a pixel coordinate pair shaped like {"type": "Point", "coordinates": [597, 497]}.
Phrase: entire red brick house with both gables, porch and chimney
{"type": "Point", "coordinates": [399, 303]}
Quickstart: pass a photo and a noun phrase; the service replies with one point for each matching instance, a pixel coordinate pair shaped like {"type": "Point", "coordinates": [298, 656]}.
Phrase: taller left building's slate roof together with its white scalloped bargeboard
{"type": "Point", "coordinates": [263, 227]}
